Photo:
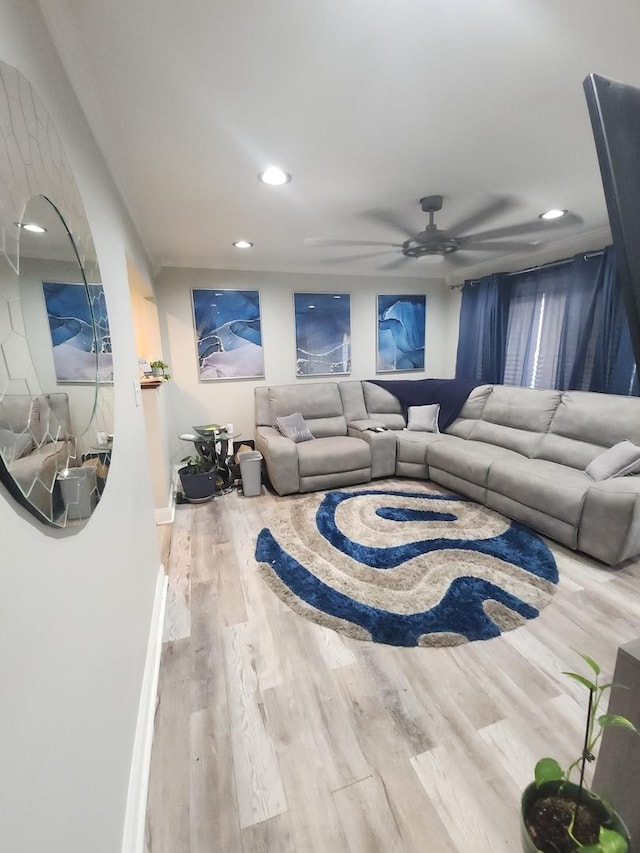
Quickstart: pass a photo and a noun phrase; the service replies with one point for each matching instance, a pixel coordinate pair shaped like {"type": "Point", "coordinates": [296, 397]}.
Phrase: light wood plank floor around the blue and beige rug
{"type": "Point", "coordinates": [274, 734]}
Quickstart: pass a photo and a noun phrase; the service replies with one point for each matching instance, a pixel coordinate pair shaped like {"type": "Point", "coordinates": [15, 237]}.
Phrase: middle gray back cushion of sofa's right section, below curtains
{"type": "Point", "coordinates": [516, 418]}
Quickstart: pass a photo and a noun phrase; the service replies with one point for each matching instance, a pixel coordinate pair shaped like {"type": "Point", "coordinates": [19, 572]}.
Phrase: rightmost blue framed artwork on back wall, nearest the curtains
{"type": "Point", "coordinates": [400, 333]}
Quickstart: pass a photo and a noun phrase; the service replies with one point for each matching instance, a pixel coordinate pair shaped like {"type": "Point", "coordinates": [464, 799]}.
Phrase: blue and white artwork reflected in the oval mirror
{"type": "Point", "coordinates": [79, 327]}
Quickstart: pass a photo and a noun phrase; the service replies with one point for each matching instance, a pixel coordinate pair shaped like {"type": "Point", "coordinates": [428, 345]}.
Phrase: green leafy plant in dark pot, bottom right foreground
{"type": "Point", "coordinates": [561, 816]}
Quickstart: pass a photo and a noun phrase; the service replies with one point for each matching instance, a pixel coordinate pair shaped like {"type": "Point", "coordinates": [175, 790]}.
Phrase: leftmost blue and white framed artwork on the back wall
{"type": "Point", "coordinates": [228, 334]}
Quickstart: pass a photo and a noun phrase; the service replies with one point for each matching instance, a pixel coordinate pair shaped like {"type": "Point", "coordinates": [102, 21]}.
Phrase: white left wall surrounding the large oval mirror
{"type": "Point", "coordinates": [75, 610]}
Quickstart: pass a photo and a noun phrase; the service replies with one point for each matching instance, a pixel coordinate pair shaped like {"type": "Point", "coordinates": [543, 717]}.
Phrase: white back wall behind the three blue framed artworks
{"type": "Point", "coordinates": [221, 401]}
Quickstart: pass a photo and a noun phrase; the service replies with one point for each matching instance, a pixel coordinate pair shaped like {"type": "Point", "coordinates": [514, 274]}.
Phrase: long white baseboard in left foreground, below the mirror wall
{"type": "Point", "coordinates": [136, 806]}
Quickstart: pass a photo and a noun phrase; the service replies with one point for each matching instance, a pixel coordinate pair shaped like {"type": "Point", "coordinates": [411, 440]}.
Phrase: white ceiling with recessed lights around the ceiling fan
{"type": "Point", "coordinates": [370, 104]}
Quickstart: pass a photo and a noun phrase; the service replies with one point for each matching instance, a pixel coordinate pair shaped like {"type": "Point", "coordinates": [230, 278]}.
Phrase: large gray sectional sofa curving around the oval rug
{"type": "Point", "coordinates": [520, 451]}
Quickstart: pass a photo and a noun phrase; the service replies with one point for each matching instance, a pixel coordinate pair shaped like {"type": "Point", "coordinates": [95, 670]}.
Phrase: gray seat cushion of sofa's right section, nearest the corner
{"type": "Point", "coordinates": [469, 460]}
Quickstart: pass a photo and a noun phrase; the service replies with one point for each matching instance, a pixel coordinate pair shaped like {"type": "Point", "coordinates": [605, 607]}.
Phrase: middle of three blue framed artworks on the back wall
{"type": "Point", "coordinates": [323, 333]}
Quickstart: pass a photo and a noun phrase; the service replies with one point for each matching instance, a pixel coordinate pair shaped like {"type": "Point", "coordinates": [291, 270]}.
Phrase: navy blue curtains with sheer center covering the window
{"type": "Point", "coordinates": [563, 326]}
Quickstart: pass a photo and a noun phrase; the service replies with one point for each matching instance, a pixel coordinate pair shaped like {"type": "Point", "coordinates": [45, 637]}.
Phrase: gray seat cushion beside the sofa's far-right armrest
{"type": "Point", "coordinates": [551, 488]}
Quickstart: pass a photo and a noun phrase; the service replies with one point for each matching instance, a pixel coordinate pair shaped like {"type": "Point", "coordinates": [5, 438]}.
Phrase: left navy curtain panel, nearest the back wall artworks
{"type": "Point", "coordinates": [482, 337]}
